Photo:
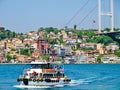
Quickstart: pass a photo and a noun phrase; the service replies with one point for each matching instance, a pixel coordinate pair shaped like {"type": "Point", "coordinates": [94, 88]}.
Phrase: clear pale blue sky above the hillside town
{"type": "Point", "coordinates": [29, 15]}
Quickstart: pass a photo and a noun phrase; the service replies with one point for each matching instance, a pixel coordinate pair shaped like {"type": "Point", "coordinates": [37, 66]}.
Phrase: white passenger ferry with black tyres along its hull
{"type": "Point", "coordinates": [43, 74]}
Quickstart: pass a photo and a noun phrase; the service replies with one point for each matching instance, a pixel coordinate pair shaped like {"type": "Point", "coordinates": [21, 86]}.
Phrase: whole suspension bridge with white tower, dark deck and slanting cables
{"type": "Point", "coordinates": [101, 13]}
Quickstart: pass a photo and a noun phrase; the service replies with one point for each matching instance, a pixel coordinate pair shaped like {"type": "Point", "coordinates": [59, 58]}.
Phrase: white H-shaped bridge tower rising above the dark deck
{"type": "Point", "coordinates": [110, 14]}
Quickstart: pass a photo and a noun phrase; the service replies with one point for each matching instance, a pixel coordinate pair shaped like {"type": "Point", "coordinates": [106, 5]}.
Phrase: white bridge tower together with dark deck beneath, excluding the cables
{"type": "Point", "coordinates": [110, 14]}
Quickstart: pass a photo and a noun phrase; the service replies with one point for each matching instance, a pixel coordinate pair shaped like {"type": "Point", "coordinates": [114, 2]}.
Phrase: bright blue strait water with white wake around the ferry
{"type": "Point", "coordinates": [84, 77]}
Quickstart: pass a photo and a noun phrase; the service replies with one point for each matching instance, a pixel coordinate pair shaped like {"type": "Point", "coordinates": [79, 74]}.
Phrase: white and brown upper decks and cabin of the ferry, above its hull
{"type": "Point", "coordinates": [44, 70]}
